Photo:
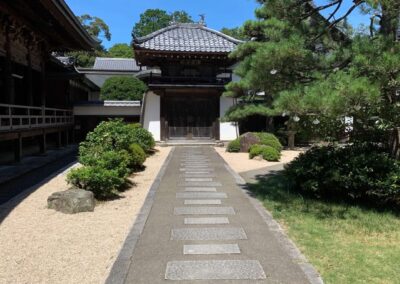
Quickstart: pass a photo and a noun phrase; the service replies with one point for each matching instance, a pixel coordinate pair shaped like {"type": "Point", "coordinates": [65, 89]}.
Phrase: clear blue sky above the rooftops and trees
{"type": "Point", "coordinates": [120, 15]}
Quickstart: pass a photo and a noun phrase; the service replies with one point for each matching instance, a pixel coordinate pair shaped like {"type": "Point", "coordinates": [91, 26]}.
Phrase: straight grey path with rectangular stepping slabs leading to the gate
{"type": "Point", "coordinates": [202, 227]}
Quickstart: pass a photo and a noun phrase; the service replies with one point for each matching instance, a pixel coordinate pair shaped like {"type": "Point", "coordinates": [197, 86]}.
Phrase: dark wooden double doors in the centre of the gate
{"type": "Point", "coordinates": [191, 116]}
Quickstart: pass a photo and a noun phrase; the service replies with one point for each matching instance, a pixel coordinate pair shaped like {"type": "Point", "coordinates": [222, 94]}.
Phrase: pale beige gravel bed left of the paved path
{"type": "Point", "coordinates": [39, 245]}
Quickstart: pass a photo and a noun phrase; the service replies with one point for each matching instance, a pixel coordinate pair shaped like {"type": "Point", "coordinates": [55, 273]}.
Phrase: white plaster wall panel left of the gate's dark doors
{"type": "Point", "coordinates": [151, 119]}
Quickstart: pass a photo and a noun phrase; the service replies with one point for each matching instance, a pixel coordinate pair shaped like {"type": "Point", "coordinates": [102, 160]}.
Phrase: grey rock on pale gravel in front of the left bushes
{"type": "Point", "coordinates": [72, 201]}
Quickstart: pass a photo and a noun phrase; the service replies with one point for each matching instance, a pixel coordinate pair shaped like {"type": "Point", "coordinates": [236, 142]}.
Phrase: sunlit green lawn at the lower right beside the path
{"type": "Point", "coordinates": [345, 243]}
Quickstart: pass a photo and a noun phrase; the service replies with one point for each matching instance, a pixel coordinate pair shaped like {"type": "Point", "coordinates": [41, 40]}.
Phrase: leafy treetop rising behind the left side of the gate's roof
{"type": "Point", "coordinates": [154, 19]}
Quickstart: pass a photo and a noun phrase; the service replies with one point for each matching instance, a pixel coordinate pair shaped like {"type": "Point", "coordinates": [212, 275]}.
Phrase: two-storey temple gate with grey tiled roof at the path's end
{"type": "Point", "coordinates": [187, 69]}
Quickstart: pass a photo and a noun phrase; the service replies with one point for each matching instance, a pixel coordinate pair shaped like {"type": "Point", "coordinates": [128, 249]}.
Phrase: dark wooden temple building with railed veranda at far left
{"type": "Point", "coordinates": [37, 89]}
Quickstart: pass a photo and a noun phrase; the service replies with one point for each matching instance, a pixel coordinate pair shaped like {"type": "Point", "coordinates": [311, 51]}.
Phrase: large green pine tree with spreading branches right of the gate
{"type": "Point", "coordinates": [305, 66]}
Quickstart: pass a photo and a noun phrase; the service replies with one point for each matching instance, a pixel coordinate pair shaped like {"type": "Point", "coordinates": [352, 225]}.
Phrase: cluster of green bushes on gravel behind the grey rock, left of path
{"type": "Point", "coordinates": [108, 155]}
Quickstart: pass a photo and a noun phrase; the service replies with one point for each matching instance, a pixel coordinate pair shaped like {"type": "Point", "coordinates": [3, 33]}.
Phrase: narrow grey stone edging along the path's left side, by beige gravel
{"type": "Point", "coordinates": [121, 266]}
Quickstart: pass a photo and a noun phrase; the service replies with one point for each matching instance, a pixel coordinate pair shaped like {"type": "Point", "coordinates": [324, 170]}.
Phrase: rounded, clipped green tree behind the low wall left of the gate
{"type": "Point", "coordinates": [123, 88]}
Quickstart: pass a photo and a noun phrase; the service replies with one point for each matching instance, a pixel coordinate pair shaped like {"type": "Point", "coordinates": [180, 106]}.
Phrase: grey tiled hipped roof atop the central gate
{"type": "Point", "coordinates": [187, 38]}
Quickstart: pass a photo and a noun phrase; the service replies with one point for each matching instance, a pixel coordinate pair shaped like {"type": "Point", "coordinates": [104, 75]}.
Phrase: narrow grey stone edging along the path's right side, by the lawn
{"type": "Point", "coordinates": [288, 245]}
